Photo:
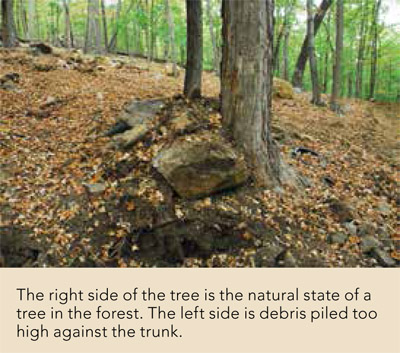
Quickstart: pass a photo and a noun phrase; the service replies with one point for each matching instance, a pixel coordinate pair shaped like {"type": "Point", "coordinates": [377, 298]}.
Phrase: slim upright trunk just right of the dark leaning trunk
{"type": "Point", "coordinates": [337, 68]}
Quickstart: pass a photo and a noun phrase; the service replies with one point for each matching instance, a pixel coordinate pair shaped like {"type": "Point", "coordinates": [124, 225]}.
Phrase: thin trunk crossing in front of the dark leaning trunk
{"type": "Point", "coordinates": [316, 93]}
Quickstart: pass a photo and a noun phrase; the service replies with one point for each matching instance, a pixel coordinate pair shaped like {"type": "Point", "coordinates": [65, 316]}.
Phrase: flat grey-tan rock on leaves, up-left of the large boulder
{"type": "Point", "coordinates": [139, 117]}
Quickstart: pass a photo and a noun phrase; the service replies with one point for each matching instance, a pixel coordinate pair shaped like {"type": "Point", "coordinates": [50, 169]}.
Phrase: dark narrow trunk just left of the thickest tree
{"type": "Point", "coordinates": [194, 63]}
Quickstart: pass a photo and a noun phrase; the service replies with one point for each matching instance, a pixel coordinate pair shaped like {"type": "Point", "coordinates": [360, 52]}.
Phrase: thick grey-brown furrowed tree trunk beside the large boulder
{"type": "Point", "coordinates": [247, 82]}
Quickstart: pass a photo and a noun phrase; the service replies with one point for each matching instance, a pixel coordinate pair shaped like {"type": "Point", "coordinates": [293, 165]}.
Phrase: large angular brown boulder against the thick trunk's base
{"type": "Point", "coordinates": [201, 166]}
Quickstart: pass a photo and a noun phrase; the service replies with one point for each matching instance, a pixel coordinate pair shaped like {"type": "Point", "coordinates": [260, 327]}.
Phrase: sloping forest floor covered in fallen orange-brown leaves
{"type": "Point", "coordinates": [53, 155]}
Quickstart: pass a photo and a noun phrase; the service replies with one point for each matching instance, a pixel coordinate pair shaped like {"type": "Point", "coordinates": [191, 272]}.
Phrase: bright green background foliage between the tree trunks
{"type": "Point", "coordinates": [143, 24]}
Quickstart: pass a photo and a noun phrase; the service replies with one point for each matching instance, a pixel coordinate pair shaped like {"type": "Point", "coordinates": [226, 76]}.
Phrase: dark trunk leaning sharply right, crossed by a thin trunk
{"type": "Point", "coordinates": [303, 56]}
